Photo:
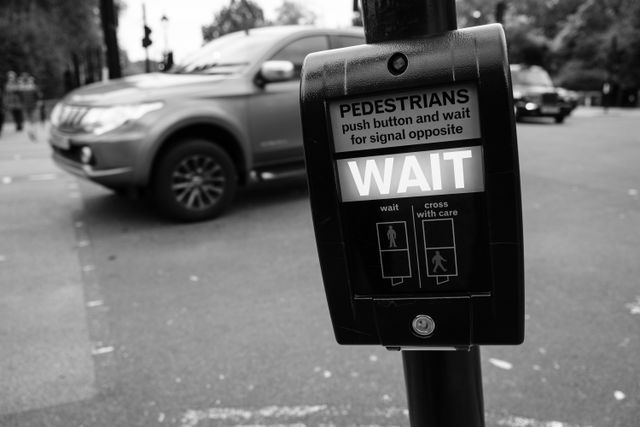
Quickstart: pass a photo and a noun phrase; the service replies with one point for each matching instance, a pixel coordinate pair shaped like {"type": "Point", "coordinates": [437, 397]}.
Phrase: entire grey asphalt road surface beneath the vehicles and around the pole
{"type": "Point", "coordinates": [111, 316]}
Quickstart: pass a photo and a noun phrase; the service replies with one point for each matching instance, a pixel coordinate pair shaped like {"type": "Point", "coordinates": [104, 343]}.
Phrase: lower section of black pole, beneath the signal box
{"type": "Point", "coordinates": [444, 388]}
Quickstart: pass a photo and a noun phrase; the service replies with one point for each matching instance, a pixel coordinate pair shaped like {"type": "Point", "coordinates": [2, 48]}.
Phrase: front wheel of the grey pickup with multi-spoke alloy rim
{"type": "Point", "coordinates": [195, 180]}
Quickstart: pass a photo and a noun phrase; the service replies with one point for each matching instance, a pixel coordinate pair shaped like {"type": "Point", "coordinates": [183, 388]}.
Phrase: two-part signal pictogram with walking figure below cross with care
{"type": "Point", "coordinates": [440, 249]}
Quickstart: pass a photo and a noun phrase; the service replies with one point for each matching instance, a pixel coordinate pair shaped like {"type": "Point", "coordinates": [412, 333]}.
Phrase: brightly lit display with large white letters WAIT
{"type": "Point", "coordinates": [417, 174]}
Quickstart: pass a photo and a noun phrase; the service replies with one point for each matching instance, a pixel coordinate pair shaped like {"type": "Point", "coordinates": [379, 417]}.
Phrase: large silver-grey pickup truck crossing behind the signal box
{"type": "Point", "coordinates": [225, 116]}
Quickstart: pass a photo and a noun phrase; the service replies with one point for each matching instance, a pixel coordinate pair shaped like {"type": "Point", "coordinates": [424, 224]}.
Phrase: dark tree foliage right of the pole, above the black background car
{"type": "Point", "coordinates": [582, 43]}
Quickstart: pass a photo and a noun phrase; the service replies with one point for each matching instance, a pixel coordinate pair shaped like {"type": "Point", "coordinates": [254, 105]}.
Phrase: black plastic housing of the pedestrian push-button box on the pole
{"type": "Point", "coordinates": [484, 304]}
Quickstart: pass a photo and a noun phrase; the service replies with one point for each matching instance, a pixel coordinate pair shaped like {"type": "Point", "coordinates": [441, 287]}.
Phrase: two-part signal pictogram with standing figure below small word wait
{"type": "Point", "coordinates": [393, 246]}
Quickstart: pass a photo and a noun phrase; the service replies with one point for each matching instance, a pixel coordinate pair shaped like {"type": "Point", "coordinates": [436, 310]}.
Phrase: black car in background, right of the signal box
{"type": "Point", "coordinates": [534, 94]}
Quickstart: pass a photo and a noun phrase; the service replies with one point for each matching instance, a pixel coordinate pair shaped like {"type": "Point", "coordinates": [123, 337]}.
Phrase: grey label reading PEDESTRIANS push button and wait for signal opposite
{"type": "Point", "coordinates": [425, 116]}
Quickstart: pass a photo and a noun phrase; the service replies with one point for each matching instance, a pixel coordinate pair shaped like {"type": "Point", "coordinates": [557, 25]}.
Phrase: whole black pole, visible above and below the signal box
{"type": "Point", "coordinates": [444, 388]}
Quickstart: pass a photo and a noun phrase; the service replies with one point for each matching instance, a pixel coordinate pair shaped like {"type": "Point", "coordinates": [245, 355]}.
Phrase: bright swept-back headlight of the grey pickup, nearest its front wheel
{"type": "Point", "coordinates": [99, 120]}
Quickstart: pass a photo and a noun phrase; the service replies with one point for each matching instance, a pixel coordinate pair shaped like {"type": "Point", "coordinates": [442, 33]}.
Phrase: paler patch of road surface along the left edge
{"type": "Point", "coordinates": [46, 355]}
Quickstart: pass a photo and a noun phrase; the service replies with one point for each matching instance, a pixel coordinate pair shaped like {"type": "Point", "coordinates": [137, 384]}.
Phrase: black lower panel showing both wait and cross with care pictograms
{"type": "Point", "coordinates": [418, 245]}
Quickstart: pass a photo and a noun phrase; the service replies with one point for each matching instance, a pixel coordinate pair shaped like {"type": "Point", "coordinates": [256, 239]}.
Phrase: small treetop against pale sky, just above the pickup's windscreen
{"type": "Point", "coordinates": [238, 15]}
